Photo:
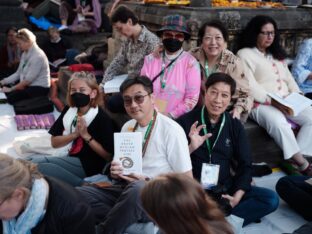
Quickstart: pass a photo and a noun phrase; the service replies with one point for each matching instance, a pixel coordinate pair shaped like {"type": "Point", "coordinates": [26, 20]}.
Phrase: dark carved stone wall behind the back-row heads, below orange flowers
{"type": "Point", "coordinates": [295, 24]}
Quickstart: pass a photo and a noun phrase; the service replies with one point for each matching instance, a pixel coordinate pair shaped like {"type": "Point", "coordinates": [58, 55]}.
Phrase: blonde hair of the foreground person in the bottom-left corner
{"type": "Point", "coordinates": [15, 174]}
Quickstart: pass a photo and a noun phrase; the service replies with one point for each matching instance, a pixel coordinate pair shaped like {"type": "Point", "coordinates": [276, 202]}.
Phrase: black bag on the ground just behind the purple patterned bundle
{"type": "Point", "coordinates": [37, 105]}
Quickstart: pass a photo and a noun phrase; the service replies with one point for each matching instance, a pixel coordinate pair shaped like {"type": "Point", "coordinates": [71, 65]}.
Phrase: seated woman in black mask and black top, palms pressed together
{"type": "Point", "coordinates": [84, 129]}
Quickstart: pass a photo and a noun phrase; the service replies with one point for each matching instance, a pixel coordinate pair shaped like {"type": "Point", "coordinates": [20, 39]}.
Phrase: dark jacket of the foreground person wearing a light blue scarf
{"type": "Point", "coordinates": [66, 213]}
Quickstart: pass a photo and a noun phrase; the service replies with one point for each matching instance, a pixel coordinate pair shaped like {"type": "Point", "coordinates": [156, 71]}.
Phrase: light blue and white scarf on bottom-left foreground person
{"type": "Point", "coordinates": [34, 212]}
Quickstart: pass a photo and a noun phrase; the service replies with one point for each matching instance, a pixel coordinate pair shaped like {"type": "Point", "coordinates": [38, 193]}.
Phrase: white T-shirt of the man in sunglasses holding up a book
{"type": "Point", "coordinates": [167, 150]}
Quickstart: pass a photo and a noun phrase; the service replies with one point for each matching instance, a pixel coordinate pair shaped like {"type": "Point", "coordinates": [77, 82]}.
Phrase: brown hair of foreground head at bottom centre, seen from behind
{"type": "Point", "coordinates": [179, 205]}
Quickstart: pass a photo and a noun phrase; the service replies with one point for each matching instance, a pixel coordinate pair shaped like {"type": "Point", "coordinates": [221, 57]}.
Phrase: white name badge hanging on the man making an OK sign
{"type": "Point", "coordinates": [209, 175]}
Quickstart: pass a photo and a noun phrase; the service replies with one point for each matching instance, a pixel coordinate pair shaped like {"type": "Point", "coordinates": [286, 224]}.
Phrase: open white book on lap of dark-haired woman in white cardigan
{"type": "Point", "coordinates": [295, 102]}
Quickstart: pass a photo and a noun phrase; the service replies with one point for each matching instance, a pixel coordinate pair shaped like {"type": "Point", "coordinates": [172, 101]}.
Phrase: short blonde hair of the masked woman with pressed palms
{"type": "Point", "coordinates": [90, 80]}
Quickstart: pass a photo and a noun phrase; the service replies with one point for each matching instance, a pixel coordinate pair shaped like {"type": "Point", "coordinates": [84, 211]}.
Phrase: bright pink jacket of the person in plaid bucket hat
{"type": "Point", "coordinates": [181, 92]}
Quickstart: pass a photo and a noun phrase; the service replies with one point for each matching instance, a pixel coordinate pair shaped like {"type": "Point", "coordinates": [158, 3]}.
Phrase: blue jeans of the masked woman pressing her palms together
{"type": "Point", "coordinates": [68, 169]}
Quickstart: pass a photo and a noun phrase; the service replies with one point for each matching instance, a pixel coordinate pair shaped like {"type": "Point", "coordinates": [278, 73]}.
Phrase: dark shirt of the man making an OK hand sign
{"type": "Point", "coordinates": [231, 151]}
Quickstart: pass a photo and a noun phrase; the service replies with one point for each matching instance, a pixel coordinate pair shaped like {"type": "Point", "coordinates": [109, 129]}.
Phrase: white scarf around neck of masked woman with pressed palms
{"type": "Point", "coordinates": [71, 114]}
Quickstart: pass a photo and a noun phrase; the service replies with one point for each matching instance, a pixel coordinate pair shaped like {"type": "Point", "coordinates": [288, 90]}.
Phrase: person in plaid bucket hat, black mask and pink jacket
{"type": "Point", "coordinates": [175, 73]}
